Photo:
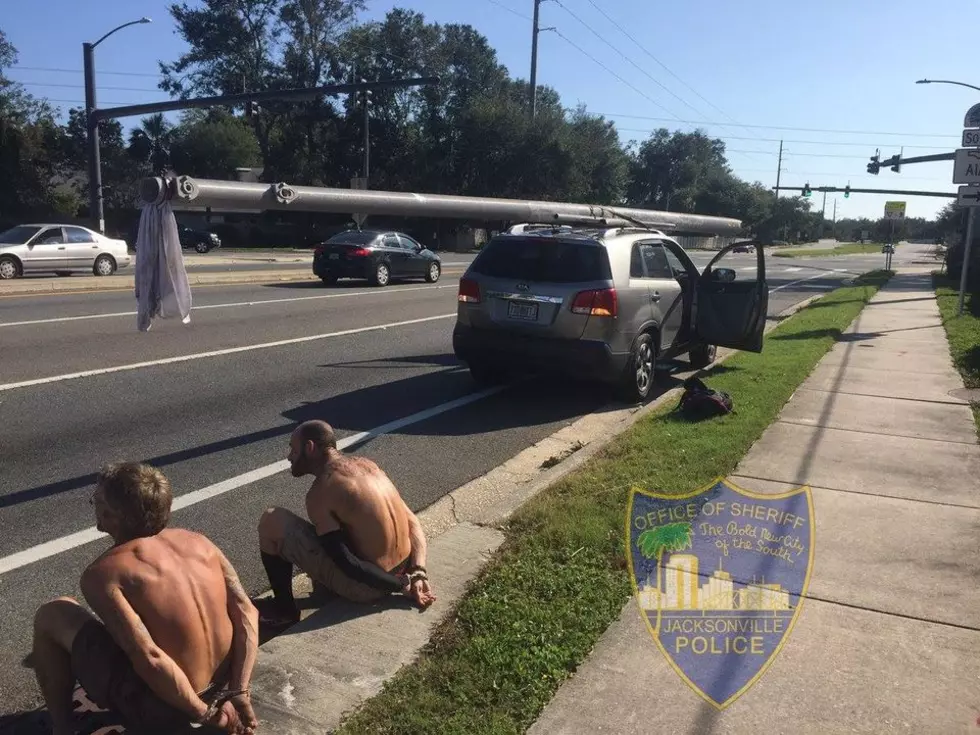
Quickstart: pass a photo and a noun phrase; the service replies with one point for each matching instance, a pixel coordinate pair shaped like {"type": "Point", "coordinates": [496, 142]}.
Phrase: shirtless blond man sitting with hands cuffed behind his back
{"type": "Point", "coordinates": [175, 625]}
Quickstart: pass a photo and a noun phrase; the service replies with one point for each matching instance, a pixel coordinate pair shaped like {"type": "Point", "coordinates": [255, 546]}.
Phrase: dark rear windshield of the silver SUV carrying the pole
{"type": "Point", "coordinates": [543, 260]}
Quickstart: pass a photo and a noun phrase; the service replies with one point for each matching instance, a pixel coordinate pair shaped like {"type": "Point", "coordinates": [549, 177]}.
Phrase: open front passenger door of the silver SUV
{"type": "Point", "coordinates": [731, 313]}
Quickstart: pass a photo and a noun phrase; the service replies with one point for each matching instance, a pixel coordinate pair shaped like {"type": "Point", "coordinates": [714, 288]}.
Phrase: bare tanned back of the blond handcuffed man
{"type": "Point", "coordinates": [175, 583]}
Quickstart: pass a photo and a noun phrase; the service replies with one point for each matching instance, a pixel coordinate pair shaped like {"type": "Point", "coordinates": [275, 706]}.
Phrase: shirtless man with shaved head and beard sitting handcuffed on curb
{"type": "Point", "coordinates": [361, 541]}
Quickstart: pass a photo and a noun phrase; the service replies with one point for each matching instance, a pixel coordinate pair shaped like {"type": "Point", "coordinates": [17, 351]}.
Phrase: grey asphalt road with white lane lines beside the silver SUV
{"type": "Point", "coordinates": [253, 361]}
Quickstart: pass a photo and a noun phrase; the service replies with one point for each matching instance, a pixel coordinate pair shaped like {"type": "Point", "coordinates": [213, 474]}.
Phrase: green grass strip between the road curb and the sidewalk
{"type": "Point", "coordinates": [560, 579]}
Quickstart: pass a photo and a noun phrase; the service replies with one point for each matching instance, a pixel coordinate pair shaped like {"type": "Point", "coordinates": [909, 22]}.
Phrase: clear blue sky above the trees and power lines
{"type": "Point", "coordinates": [835, 80]}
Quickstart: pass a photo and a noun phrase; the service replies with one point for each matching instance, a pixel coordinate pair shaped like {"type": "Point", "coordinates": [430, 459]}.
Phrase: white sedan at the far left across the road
{"type": "Point", "coordinates": [50, 248]}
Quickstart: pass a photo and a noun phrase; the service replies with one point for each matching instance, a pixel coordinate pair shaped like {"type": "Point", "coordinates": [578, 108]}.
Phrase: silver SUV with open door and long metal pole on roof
{"type": "Point", "coordinates": [601, 304]}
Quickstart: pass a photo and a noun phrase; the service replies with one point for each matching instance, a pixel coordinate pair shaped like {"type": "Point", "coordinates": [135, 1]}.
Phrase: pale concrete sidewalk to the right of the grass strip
{"type": "Point", "coordinates": [889, 637]}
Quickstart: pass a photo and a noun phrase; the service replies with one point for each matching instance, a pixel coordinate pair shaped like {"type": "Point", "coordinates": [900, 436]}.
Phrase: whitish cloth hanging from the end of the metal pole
{"type": "Point", "coordinates": [162, 288]}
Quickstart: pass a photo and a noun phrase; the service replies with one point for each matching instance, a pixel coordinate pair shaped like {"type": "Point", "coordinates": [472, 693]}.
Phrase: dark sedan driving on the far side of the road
{"type": "Point", "coordinates": [375, 256]}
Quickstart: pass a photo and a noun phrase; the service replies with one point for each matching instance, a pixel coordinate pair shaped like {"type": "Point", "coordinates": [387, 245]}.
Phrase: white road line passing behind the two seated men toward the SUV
{"type": "Point", "coordinates": [80, 538]}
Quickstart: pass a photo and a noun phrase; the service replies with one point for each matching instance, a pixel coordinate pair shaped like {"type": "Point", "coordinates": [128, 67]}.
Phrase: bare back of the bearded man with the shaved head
{"type": "Point", "coordinates": [356, 495]}
